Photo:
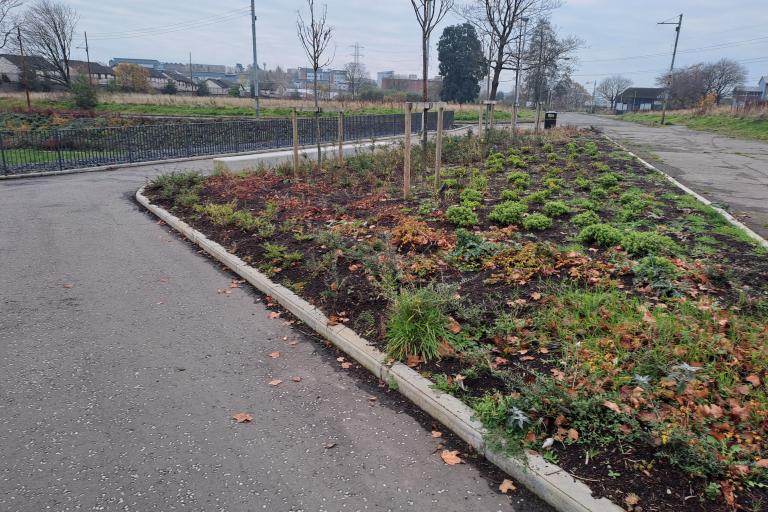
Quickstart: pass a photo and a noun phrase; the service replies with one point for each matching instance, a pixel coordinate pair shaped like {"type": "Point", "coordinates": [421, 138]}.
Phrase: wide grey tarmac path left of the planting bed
{"type": "Point", "coordinates": [116, 393]}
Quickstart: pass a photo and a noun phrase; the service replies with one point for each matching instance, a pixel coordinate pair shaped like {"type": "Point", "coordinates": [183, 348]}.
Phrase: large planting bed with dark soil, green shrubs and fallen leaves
{"type": "Point", "coordinates": [582, 305]}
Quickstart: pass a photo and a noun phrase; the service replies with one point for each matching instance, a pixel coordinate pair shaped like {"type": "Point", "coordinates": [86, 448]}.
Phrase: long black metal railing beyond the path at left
{"type": "Point", "coordinates": [61, 149]}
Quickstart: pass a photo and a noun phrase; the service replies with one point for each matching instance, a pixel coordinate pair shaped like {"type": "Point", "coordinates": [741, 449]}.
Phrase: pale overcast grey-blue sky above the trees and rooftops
{"type": "Point", "coordinates": [619, 36]}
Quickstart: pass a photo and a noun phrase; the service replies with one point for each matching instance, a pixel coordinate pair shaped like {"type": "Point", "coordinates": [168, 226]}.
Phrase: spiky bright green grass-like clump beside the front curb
{"type": "Point", "coordinates": [417, 323]}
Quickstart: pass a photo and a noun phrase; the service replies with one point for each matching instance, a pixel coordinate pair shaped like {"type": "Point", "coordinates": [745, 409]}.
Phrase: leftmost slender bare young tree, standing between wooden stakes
{"type": "Point", "coordinates": [315, 37]}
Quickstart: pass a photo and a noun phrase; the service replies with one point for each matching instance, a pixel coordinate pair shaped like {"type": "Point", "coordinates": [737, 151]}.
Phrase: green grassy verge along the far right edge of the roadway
{"type": "Point", "coordinates": [747, 127]}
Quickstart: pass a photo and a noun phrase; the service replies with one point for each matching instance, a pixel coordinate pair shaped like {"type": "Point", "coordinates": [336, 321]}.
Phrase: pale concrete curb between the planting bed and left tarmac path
{"type": "Point", "coordinates": [549, 482]}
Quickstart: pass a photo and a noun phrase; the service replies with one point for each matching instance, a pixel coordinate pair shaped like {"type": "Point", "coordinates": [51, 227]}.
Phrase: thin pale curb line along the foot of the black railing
{"type": "Point", "coordinates": [114, 167]}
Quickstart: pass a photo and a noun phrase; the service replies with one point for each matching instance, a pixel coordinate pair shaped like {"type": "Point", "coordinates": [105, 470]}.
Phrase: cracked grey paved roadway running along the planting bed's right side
{"type": "Point", "coordinates": [732, 172]}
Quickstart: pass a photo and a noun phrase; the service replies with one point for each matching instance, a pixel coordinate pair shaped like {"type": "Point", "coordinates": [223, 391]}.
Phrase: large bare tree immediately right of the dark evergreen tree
{"type": "Point", "coordinates": [500, 22]}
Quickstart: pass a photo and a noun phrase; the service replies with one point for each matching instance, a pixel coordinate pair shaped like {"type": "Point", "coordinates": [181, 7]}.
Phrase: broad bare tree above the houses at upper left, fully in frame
{"type": "Point", "coordinates": [48, 28]}
